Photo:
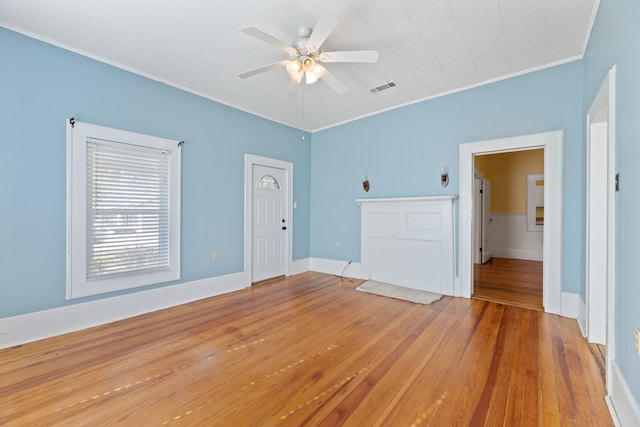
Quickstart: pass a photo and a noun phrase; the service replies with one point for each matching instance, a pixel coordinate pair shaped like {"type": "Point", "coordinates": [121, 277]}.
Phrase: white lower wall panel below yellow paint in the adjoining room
{"type": "Point", "coordinates": [510, 238]}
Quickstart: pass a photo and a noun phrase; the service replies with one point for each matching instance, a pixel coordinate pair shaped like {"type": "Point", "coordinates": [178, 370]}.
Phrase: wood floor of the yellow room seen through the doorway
{"type": "Point", "coordinates": [509, 281]}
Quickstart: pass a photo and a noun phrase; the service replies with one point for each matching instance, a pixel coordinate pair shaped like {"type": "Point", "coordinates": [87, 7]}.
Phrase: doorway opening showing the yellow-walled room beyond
{"type": "Point", "coordinates": [508, 227]}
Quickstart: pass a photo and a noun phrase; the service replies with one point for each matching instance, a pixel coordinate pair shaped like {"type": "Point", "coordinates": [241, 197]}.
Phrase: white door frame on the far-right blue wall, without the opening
{"type": "Point", "coordinates": [605, 98]}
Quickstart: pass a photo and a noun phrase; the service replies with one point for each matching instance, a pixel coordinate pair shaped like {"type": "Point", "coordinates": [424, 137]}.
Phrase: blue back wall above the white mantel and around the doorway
{"type": "Point", "coordinates": [402, 151]}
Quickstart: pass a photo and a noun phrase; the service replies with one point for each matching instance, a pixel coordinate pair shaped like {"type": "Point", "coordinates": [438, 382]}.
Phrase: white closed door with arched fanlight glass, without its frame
{"type": "Point", "coordinates": [269, 222]}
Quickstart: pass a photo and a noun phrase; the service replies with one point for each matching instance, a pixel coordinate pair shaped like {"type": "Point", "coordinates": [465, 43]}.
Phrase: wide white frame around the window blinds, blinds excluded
{"type": "Point", "coordinates": [77, 285]}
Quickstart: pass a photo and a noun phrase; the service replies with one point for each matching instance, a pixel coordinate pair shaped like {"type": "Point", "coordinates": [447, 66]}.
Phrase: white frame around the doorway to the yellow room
{"type": "Point", "coordinates": [552, 142]}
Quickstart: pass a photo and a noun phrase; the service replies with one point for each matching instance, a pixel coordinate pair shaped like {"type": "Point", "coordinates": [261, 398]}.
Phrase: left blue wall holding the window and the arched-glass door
{"type": "Point", "coordinates": [41, 86]}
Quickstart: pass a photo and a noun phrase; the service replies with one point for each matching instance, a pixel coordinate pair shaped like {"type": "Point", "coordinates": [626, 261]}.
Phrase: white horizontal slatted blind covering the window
{"type": "Point", "coordinates": [127, 208]}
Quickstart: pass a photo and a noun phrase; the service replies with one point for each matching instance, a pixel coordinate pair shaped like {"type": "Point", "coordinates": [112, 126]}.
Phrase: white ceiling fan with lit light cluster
{"type": "Point", "coordinates": [305, 56]}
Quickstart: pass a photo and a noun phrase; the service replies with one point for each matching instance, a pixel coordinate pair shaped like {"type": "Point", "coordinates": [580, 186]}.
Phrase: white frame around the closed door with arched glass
{"type": "Point", "coordinates": [249, 161]}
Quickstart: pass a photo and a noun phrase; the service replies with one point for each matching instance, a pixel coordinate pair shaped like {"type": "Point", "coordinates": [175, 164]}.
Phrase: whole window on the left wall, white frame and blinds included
{"type": "Point", "coordinates": [123, 221]}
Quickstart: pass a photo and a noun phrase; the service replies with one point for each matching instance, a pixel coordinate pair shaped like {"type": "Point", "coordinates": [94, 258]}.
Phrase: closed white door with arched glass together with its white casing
{"type": "Point", "coordinates": [283, 209]}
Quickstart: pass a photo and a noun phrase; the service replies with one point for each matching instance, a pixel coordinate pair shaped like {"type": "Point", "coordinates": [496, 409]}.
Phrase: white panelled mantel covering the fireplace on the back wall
{"type": "Point", "coordinates": [409, 241]}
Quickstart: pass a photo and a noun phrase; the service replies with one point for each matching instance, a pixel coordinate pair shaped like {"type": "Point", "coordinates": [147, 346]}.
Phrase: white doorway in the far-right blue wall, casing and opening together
{"type": "Point", "coordinates": [600, 221]}
